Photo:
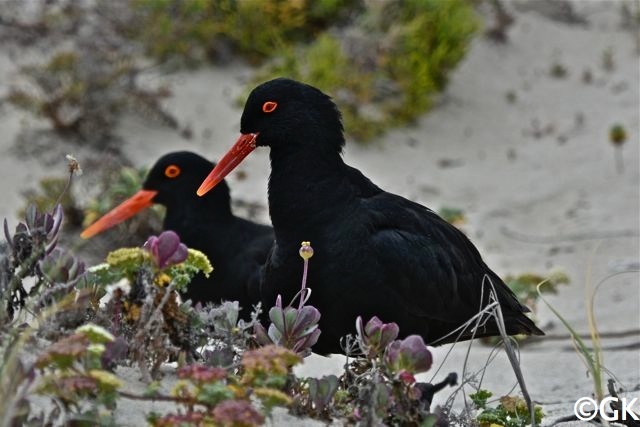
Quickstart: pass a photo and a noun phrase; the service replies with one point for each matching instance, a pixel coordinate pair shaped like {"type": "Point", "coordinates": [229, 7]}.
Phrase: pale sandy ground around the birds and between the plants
{"type": "Point", "coordinates": [535, 177]}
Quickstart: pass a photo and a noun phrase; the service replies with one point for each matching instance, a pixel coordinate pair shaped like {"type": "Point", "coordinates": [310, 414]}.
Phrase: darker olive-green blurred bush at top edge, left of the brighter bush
{"type": "Point", "coordinates": [198, 30]}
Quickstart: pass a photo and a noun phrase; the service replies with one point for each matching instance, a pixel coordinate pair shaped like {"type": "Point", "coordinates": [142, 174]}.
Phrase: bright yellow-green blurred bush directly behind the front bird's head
{"type": "Point", "coordinates": [387, 67]}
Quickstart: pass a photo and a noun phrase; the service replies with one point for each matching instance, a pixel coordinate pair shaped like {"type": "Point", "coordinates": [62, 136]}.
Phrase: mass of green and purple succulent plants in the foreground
{"type": "Point", "coordinates": [234, 384]}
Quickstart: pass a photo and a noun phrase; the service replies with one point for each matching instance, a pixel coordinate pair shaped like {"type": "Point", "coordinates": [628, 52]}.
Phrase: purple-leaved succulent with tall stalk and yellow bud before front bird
{"type": "Point", "coordinates": [295, 329]}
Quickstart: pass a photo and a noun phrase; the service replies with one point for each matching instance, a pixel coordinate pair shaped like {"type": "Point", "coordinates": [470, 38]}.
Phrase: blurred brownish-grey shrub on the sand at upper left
{"type": "Point", "coordinates": [82, 92]}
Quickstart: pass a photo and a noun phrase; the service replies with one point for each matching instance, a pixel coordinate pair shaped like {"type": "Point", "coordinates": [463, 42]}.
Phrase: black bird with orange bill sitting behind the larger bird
{"type": "Point", "coordinates": [236, 247]}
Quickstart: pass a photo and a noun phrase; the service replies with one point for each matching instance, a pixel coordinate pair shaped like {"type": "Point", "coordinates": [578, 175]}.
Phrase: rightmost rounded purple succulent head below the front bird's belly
{"type": "Point", "coordinates": [410, 354]}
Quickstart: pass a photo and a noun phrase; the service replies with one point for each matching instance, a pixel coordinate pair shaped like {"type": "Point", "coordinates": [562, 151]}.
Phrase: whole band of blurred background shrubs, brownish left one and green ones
{"type": "Point", "coordinates": [384, 62]}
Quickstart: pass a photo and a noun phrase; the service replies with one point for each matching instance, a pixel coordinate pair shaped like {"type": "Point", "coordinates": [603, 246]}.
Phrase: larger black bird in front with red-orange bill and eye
{"type": "Point", "coordinates": [376, 253]}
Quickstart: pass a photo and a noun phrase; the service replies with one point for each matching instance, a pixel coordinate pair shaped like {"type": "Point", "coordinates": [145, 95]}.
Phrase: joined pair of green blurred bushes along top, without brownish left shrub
{"type": "Point", "coordinates": [384, 62]}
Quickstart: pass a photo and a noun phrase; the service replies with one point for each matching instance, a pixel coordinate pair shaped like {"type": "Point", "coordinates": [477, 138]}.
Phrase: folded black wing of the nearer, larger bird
{"type": "Point", "coordinates": [432, 265]}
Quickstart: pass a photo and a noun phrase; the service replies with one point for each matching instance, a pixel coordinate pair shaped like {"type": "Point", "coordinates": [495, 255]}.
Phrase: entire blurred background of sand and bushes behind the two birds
{"type": "Point", "coordinates": [516, 120]}
